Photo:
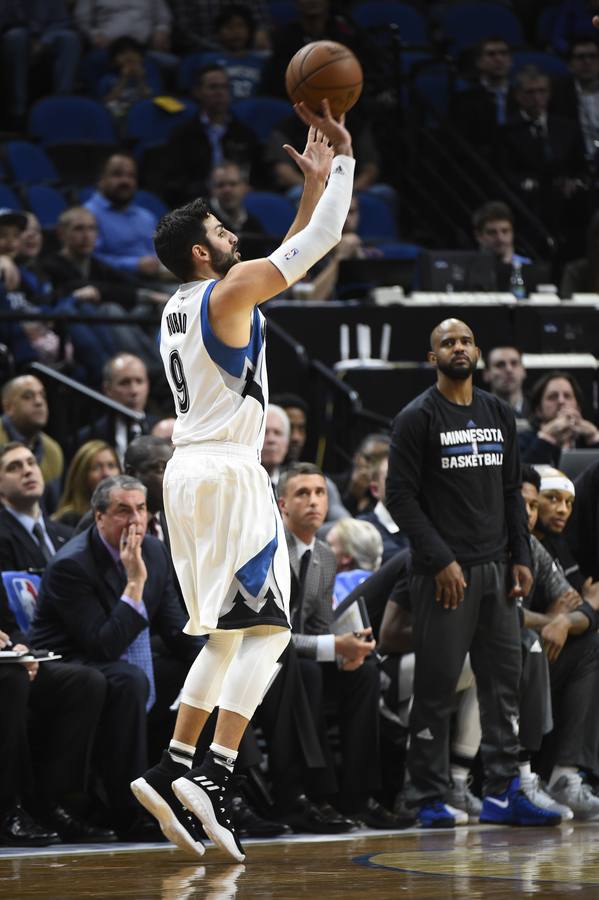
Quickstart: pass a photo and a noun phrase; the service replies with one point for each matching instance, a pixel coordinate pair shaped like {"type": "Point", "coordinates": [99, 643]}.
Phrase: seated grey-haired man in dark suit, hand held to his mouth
{"type": "Point", "coordinates": [100, 600]}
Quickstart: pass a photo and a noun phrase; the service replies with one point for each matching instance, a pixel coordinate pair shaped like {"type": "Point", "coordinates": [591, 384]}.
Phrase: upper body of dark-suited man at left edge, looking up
{"type": "Point", "coordinates": [28, 538]}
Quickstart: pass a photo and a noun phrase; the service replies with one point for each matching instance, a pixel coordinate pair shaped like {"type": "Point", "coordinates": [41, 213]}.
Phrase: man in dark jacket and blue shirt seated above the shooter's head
{"type": "Point", "coordinates": [202, 142]}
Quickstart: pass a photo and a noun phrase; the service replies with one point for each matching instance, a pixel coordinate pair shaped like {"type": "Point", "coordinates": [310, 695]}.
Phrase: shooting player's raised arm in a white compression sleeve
{"type": "Point", "coordinates": [252, 282]}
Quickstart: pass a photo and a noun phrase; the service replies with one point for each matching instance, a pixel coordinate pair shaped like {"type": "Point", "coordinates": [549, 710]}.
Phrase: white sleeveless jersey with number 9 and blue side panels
{"type": "Point", "coordinates": [220, 392]}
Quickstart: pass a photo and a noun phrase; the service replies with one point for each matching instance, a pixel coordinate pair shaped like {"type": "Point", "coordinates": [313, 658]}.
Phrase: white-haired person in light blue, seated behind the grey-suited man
{"type": "Point", "coordinates": [358, 549]}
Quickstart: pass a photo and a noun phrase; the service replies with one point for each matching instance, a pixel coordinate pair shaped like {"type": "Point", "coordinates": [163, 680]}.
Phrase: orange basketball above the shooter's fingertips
{"type": "Point", "coordinates": [325, 69]}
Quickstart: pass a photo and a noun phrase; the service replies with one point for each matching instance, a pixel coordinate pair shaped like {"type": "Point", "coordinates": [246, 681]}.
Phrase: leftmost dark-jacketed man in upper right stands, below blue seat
{"type": "Point", "coordinates": [480, 109]}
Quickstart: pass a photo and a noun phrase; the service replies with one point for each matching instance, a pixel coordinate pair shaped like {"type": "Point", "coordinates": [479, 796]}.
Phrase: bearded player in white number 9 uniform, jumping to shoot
{"type": "Point", "coordinates": [227, 539]}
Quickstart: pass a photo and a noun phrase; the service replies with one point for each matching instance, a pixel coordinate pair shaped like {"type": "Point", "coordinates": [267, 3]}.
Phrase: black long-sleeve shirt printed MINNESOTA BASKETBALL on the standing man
{"type": "Point", "coordinates": [454, 482]}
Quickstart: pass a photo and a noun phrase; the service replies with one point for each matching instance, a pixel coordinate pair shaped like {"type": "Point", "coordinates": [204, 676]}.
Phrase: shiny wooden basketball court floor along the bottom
{"type": "Point", "coordinates": [474, 862]}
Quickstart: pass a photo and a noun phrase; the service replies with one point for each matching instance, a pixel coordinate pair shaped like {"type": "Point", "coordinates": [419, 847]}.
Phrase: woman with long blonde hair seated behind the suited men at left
{"type": "Point", "coordinates": [92, 462]}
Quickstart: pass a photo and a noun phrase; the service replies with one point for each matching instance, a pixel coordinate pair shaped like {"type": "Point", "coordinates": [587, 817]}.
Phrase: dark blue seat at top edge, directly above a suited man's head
{"type": "Point", "coordinates": [464, 24]}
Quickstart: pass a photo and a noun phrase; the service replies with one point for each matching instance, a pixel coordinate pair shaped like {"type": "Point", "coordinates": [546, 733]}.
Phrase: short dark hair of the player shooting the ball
{"type": "Point", "coordinates": [176, 233]}
